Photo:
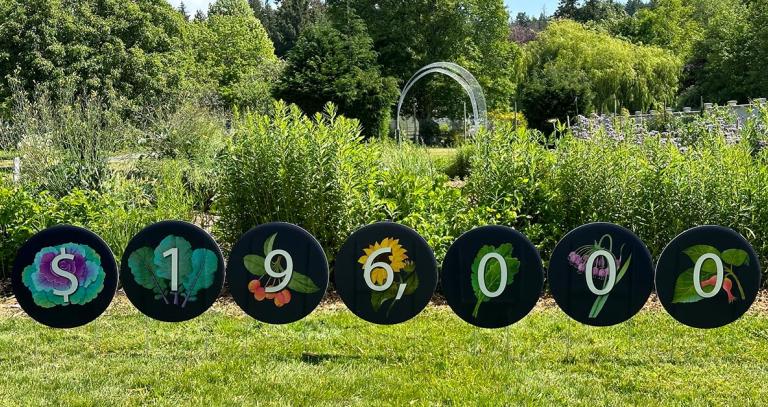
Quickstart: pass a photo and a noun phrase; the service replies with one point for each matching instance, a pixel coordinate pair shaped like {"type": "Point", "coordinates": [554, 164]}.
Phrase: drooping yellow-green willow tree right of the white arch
{"type": "Point", "coordinates": [575, 69]}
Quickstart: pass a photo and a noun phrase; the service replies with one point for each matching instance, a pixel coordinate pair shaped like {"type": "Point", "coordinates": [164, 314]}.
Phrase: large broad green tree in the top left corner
{"type": "Point", "coordinates": [131, 52]}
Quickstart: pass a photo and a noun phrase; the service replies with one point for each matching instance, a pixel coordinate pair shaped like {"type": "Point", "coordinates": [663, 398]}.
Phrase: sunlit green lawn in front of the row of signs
{"type": "Point", "coordinates": [223, 357]}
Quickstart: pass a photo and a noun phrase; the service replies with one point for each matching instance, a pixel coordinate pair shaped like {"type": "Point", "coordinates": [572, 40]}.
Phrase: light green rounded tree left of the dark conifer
{"type": "Point", "coordinates": [235, 58]}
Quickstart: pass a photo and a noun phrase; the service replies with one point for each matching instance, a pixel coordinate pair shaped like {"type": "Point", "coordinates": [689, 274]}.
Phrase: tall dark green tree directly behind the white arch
{"type": "Point", "coordinates": [411, 34]}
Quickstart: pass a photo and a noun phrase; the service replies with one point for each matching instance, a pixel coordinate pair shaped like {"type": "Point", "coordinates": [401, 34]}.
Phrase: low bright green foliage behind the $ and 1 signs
{"type": "Point", "coordinates": [116, 213]}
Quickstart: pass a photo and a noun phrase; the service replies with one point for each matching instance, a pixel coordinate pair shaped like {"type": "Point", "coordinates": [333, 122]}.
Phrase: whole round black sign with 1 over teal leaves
{"type": "Point", "coordinates": [172, 271]}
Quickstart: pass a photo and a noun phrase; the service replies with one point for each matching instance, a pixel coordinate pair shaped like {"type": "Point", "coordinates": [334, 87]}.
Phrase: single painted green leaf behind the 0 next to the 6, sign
{"type": "Point", "coordinates": [492, 274]}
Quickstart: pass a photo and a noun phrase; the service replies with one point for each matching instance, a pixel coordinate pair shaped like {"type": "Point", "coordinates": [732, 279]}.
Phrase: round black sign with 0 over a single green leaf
{"type": "Point", "coordinates": [492, 276]}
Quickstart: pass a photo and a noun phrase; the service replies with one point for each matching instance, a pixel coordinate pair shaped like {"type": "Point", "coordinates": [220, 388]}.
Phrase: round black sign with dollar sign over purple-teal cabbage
{"type": "Point", "coordinates": [64, 276]}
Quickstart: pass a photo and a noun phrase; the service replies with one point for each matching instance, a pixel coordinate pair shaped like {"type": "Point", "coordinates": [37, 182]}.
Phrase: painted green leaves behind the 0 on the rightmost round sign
{"type": "Point", "coordinates": [685, 292]}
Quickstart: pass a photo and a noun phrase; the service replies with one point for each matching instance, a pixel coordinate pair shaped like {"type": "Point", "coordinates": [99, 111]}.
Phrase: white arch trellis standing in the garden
{"type": "Point", "coordinates": [460, 75]}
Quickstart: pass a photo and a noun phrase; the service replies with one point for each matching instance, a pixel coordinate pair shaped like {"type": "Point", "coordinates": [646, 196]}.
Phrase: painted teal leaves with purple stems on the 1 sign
{"type": "Point", "coordinates": [153, 268]}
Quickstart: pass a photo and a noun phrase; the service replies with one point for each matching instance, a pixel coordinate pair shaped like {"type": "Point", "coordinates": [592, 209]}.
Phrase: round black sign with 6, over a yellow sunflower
{"type": "Point", "coordinates": [386, 273]}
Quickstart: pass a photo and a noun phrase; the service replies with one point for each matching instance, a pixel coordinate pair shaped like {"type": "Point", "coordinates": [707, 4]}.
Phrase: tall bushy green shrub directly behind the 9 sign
{"type": "Point", "coordinates": [314, 172]}
